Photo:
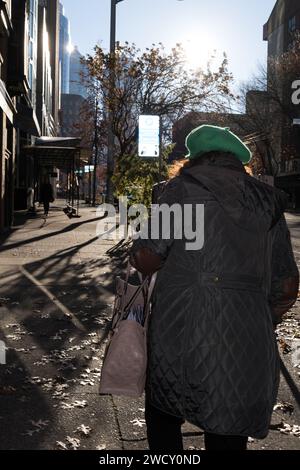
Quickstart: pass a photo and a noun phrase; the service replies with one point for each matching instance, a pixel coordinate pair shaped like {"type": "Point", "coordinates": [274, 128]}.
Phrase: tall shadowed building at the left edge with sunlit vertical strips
{"type": "Point", "coordinates": [29, 95]}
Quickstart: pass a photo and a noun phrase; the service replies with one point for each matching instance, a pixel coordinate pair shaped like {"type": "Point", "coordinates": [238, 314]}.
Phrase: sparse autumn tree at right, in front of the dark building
{"type": "Point", "coordinates": [267, 98]}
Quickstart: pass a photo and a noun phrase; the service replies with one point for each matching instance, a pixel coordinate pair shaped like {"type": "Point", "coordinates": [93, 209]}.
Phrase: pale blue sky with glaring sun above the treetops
{"type": "Point", "coordinates": [233, 26]}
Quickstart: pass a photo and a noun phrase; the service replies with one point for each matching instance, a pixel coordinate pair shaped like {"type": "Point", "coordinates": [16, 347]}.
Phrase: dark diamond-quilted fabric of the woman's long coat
{"type": "Point", "coordinates": [213, 357]}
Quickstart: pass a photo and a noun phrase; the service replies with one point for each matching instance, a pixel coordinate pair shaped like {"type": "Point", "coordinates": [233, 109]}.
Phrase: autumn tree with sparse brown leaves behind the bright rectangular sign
{"type": "Point", "coordinates": [154, 81]}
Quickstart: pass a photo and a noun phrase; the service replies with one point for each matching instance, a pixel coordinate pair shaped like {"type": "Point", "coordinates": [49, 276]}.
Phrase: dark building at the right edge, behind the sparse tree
{"type": "Point", "coordinates": [279, 32]}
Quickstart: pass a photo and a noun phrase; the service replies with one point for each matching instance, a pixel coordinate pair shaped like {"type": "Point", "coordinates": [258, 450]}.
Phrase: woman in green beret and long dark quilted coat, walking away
{"type": "Point", "coordinates": [213, 358]}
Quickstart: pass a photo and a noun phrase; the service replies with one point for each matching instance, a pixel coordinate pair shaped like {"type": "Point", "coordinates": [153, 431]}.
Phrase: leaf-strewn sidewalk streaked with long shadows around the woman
{"type": "Point", "coordinates": [56, 293]}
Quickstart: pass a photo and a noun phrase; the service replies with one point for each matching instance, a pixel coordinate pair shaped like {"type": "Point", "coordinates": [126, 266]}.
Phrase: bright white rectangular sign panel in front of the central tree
{"type": "Point", "coordinates": [149, 136]}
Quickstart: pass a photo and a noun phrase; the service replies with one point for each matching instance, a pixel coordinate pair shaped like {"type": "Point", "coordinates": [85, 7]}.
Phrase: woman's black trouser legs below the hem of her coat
{"type": "Point", "coordinates": [164, 434]}
